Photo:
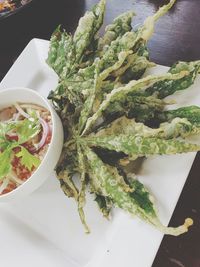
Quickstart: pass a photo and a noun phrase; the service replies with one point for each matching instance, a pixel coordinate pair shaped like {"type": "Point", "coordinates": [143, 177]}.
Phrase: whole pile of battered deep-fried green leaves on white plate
{"type": "Point", "coordinates": [113, 117]}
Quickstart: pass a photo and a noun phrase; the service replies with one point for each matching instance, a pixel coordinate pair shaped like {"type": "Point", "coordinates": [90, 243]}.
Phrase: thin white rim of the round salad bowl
{"type": "Point", "coordinates": [45, 158]}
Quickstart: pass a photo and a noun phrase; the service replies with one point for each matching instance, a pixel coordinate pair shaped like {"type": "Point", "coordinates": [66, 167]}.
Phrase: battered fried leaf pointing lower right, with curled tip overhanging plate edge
{"type": "Point", "coordinates": [137, 203]}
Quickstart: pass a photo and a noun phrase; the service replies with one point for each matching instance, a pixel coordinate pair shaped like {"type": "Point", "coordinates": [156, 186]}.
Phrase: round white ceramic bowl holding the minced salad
{"type": "Point", "coordinates": [24, 95]}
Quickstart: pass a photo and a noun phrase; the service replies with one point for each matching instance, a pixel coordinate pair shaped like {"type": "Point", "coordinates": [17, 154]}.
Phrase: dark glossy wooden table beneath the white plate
{"type": "Point", "coordinates": [177, 37]}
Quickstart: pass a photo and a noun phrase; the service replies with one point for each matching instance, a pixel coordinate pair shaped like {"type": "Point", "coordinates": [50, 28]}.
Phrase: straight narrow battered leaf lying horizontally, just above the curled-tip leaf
{"type": "Point", "coordinates": [141, 146]}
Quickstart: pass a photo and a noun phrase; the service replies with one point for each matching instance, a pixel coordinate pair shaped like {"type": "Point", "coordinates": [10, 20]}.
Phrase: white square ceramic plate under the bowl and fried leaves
{"type": "Point", "coordinates": [44, 229]}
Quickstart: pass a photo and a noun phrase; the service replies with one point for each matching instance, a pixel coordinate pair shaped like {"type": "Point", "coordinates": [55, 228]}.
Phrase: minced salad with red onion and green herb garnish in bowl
{"type": "Point", "coordinates": [25, 134]}
